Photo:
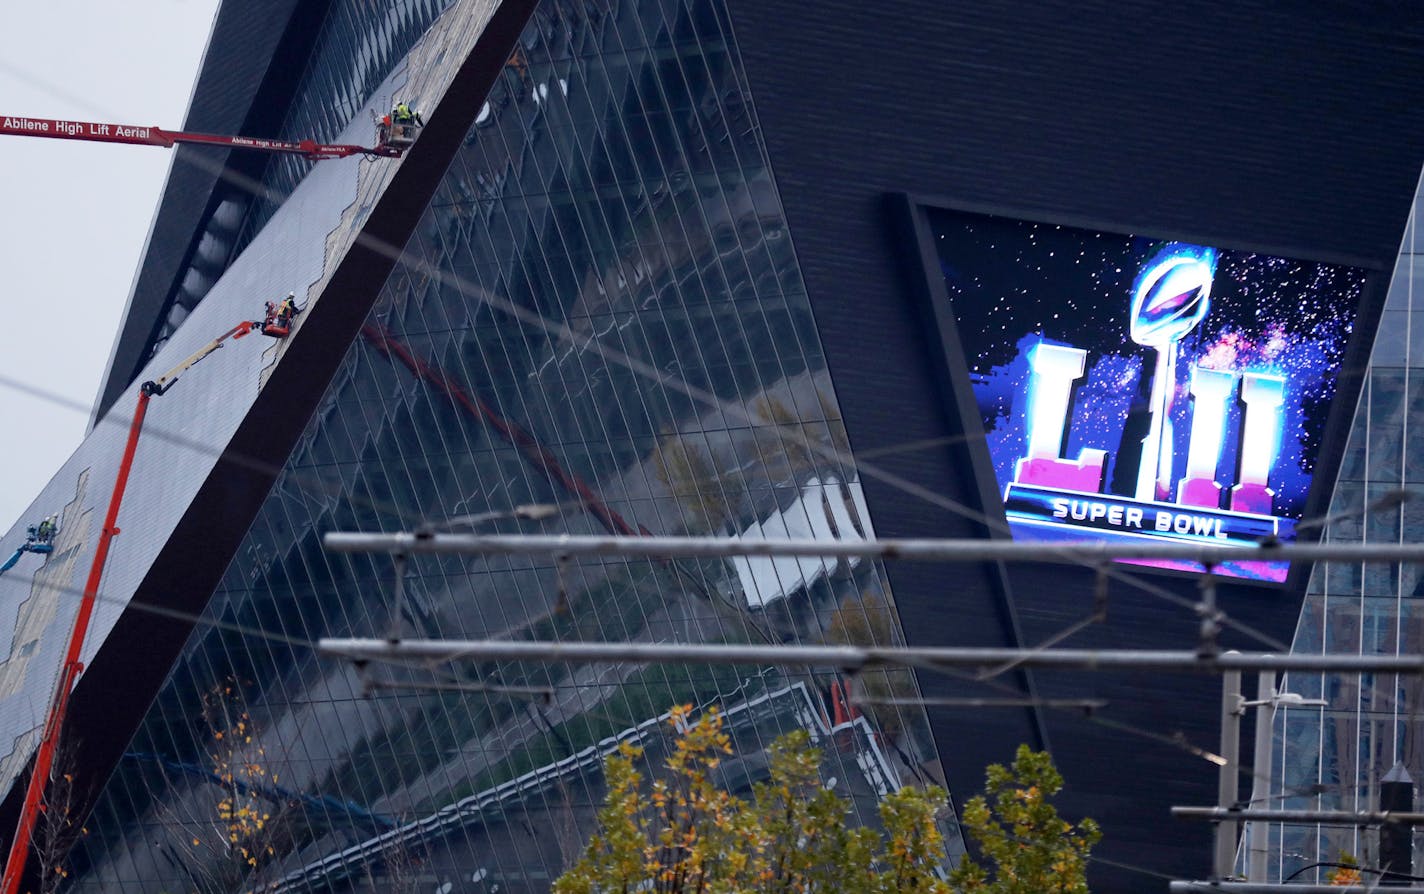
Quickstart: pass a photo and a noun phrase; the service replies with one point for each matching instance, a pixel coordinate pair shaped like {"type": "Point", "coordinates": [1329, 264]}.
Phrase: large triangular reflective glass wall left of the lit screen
{"type": "Point", "coordinates": [613, 200]}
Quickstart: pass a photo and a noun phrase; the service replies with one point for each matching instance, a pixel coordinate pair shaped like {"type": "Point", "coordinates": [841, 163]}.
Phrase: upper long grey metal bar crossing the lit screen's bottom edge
{"type": "Point", "coordinates": [912, 550]}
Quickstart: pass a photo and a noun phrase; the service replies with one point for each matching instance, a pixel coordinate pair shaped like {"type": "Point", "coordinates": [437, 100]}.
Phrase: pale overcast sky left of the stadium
{"type": "Point", "coordinates": [76, 214]}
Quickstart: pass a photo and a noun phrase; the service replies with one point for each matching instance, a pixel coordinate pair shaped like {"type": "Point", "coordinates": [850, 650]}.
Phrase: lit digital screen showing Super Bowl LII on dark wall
{"type": "Point", "coordinates": [1141, 389]}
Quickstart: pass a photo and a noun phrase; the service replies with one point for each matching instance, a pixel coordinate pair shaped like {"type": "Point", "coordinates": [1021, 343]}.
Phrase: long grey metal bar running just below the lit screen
{"type": "Point", "coordinates": [852, 658]}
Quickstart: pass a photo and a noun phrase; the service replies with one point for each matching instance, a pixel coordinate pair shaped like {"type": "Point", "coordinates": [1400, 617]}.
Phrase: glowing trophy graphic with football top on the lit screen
{"type": "Point", "coordinates": [1171, 298]}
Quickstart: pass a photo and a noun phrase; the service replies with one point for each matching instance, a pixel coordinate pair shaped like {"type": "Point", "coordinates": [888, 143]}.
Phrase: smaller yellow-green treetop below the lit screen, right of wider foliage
{"type": "Point", "coordinates": [1032, 849]}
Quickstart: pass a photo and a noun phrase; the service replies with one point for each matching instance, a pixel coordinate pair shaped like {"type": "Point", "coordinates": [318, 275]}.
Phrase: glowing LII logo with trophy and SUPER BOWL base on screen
{"type": "Point", "coordinates": [1171, 298]}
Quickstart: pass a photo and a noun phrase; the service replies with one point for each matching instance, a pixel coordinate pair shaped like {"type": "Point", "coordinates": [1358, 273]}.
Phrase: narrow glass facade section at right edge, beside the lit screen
{"type": "Point", "coordinates": [1335, 758]}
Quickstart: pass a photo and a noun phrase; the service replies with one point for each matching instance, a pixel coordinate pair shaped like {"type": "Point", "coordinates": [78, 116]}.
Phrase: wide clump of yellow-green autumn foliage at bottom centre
{"type": "Point", "coordinates": [684, 833]}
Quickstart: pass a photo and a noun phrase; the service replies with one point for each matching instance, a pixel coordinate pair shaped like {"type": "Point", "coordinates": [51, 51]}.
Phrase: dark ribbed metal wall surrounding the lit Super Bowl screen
{"type": "Point", "coordinates": [1251, 126]}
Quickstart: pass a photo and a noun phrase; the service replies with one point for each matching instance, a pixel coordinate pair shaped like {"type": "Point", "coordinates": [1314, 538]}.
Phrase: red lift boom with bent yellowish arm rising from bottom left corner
{"type": "Point", "coordinates": [73, 667]}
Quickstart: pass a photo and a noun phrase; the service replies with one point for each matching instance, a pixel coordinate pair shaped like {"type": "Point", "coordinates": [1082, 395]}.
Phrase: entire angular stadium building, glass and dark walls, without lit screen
{"type": "Point", "coordinates": [606, 312]}
